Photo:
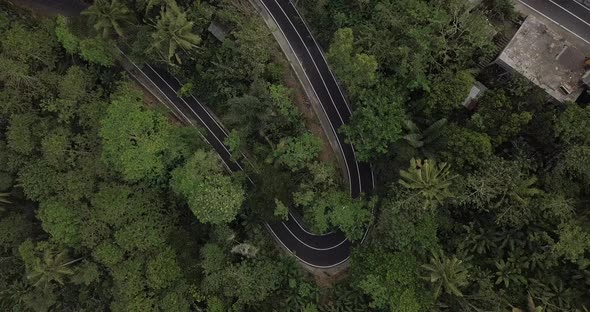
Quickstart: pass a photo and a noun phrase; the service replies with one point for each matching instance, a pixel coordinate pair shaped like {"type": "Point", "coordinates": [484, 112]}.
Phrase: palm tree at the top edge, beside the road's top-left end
{"type": "Point", "coordinates": [108, 17]}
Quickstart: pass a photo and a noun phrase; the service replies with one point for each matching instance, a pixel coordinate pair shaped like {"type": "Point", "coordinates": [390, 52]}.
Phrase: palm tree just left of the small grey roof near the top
{"type": "Point", "coordinates": [173, 30]}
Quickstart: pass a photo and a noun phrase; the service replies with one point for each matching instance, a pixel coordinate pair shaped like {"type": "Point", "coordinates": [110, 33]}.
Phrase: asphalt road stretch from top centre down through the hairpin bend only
{"type": "Point", "coordinates": [322, 251]}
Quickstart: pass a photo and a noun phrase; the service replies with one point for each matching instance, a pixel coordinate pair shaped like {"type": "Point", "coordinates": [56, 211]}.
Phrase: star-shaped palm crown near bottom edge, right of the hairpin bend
{"type": "Point", "coordinates": [446, 274]}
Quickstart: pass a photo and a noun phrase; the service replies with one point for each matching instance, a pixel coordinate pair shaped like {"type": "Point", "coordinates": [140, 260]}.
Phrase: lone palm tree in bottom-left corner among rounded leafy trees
{"type": "Point", "coordinates": [52, 267]}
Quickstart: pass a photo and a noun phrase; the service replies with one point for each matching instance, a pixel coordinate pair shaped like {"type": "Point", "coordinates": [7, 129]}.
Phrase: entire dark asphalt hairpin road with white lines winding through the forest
{"type": "Point", "coordinates": [320, 251]}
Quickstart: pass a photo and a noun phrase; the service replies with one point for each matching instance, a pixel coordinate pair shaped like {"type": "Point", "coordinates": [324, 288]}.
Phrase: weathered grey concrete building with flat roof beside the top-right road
{"type": "Point", "coordinates": [544, 56]}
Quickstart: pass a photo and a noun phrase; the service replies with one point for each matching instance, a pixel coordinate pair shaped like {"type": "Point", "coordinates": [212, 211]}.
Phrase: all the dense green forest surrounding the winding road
{"type": "Point", "coordinates": [107, 203]}
